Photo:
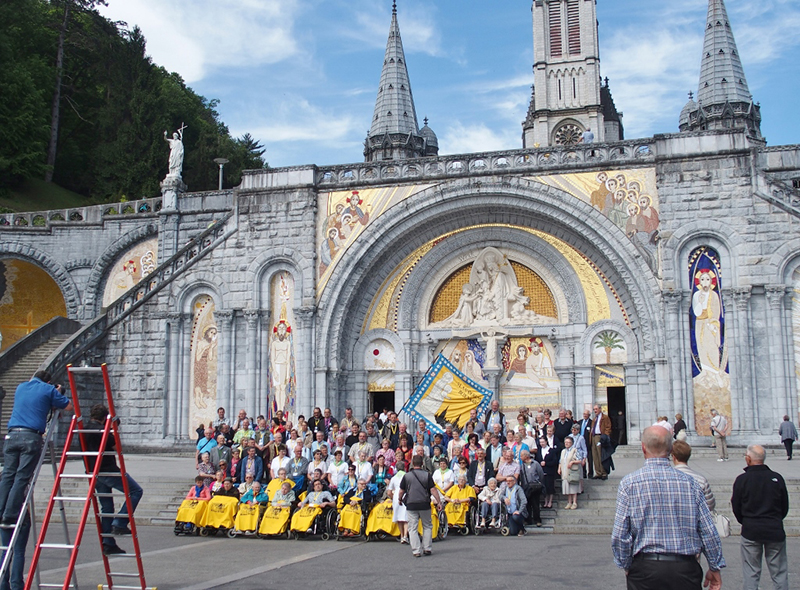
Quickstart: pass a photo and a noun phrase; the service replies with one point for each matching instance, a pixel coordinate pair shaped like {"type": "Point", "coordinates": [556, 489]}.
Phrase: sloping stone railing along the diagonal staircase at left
{"type": "Point", "coordinates": [81, 343]}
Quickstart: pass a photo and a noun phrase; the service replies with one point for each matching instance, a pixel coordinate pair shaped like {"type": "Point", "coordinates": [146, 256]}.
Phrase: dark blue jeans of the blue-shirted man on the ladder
{"type": "Point", "coordinates": [22, 450]}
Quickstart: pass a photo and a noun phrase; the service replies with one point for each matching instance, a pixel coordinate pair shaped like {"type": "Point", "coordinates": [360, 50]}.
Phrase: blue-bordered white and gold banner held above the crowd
{"type": "Point", "coordinates": [446, 395]}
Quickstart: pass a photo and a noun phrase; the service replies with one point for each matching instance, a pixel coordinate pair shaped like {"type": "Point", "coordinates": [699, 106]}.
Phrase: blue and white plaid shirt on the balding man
{"type": "Point", "coordinates": [661, 510]}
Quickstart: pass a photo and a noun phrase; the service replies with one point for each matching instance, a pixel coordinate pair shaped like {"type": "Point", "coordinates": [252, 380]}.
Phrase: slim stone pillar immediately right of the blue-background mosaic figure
{"type": "Point", "coordinates": [745, 413]}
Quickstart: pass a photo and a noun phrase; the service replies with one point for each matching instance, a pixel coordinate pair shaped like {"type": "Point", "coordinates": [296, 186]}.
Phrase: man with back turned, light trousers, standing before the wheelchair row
{"type": "Point", "coordinates": [416, 490]}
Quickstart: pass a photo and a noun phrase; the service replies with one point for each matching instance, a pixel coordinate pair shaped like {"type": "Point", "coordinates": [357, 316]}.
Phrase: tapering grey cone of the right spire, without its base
{"type": "Point", "coordinates": [721, 73]}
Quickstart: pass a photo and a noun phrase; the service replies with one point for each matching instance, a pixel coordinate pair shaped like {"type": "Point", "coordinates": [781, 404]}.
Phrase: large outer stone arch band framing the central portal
{"type": "Point", "coordinates": [463, 203]}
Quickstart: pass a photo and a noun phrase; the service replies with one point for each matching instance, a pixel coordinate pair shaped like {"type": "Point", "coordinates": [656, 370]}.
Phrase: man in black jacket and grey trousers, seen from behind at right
{"type": "Point", "coordinates": [760, 502]}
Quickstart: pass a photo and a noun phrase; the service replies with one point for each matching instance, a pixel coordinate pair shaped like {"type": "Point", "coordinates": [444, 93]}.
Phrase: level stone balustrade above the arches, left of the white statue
{"type": "Point", "coordinates": [90, 214]}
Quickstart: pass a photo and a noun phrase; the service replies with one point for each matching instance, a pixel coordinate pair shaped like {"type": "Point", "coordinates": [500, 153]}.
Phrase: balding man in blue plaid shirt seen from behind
{"type": "Point", "coordinates": [662, 524]}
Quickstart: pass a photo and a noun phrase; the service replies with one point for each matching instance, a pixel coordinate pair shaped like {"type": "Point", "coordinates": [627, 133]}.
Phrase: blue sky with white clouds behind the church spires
{"type": "Point", "coordinates": [301, 75]}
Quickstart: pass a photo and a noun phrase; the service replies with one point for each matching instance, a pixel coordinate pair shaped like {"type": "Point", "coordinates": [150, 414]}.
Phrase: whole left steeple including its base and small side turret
{"type": "Point", "coordinates": [394, 133]}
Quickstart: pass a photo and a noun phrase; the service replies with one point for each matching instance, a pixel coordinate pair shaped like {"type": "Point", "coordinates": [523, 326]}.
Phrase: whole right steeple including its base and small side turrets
{"type": "Point", "coordinates": [723, 98]}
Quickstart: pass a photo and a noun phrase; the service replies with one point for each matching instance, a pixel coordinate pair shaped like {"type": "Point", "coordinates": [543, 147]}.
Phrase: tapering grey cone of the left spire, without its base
{"type": "Point", "coordinates": [394, 107]}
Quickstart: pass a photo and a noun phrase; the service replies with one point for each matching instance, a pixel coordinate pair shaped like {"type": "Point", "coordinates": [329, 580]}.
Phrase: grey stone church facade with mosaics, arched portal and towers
{"type": "Point", "coordinates": [654, 276]}
